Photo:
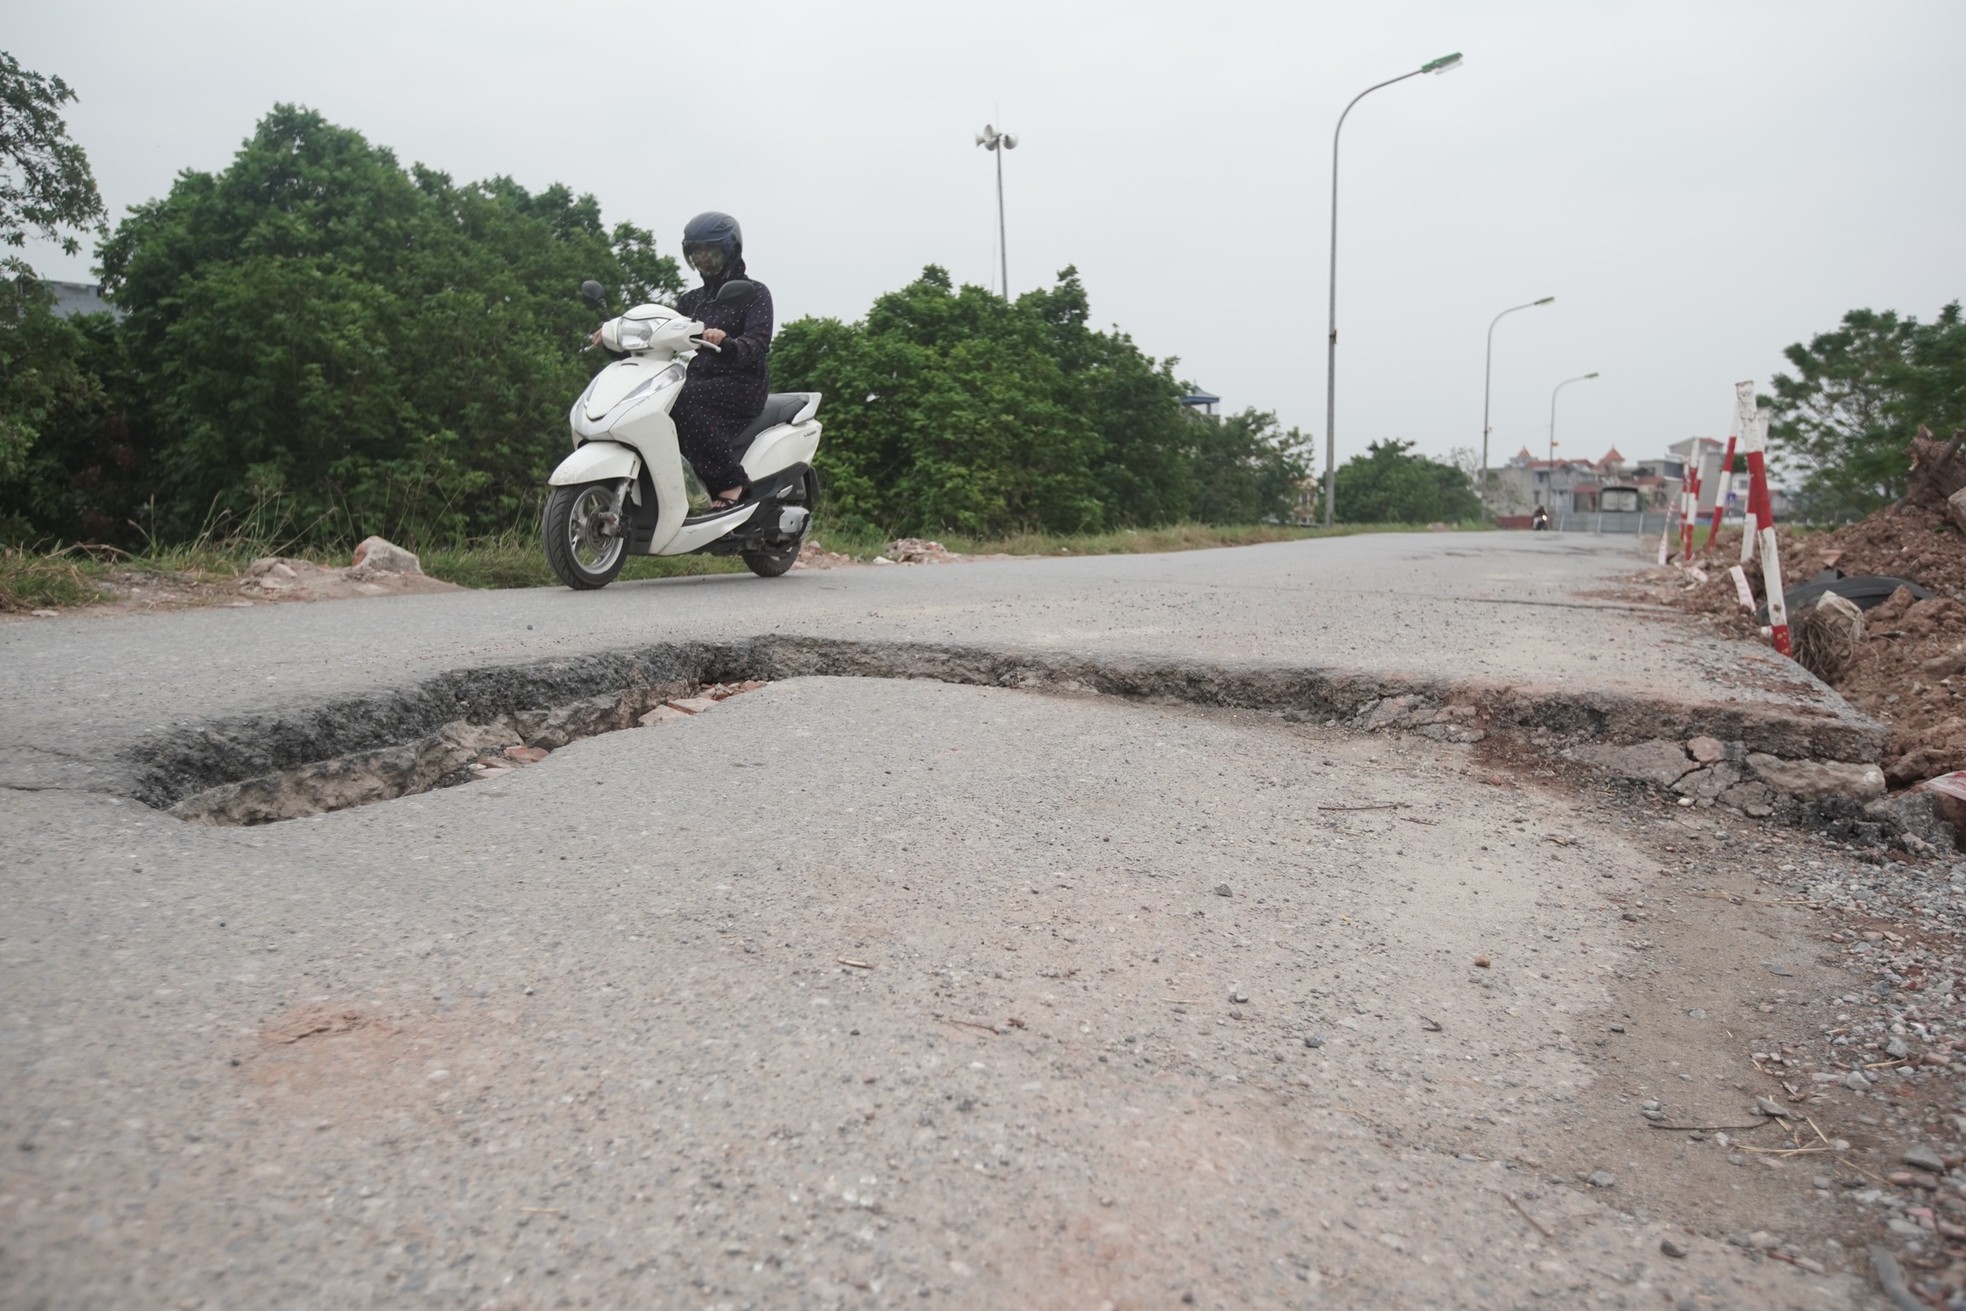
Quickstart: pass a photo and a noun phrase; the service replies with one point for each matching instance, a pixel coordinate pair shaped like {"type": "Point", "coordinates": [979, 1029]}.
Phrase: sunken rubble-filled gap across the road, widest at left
{"type": "Point", "coordinates": [371, 748]}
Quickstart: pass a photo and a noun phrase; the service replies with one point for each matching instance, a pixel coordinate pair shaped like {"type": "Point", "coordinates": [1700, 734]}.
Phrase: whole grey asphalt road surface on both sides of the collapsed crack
{"type": "Point", "coordinates": [858, 992]}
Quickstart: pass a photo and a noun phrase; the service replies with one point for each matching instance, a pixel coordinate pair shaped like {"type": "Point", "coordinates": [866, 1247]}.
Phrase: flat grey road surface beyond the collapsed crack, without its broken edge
{"type": "Point", "coordinates": [1493, 612]}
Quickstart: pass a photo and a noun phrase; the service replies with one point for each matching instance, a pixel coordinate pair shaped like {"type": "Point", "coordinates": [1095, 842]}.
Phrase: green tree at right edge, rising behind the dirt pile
{"type": "Point", "coordinates": [1845, 420]}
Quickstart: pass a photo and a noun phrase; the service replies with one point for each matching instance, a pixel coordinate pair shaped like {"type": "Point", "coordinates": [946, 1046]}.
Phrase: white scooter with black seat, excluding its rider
{"type": "Point", "coordinates": [624, 490]}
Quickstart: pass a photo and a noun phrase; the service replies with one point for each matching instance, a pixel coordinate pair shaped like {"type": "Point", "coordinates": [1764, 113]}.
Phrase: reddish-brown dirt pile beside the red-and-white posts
{"type": "Point", "coordinates": [1908, 667]}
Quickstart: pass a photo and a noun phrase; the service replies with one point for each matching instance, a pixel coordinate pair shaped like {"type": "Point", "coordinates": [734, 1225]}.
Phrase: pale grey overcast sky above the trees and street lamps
{"type": "Point", "coordinates": [1698, 184]}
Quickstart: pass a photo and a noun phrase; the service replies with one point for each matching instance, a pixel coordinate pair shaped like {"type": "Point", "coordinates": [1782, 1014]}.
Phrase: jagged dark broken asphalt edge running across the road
{"type": "Point", "coordinates": [166, 768]}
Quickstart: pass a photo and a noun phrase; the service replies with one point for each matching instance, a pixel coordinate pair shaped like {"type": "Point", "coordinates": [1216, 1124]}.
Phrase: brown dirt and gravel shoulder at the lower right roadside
{"type": "Point", "coordinates": [1784, 1060]}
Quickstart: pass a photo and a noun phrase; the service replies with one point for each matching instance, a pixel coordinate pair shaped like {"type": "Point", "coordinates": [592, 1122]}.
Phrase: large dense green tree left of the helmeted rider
{"type": "Point", "coordinates": [380, 349]}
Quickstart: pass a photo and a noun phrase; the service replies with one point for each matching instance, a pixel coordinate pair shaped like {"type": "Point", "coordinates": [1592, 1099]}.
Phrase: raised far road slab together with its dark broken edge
{"type": "Point", "coordinates": [1521, 626]}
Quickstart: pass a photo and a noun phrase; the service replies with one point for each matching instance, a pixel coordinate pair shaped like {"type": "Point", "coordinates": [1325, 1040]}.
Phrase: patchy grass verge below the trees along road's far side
{"type": "Point", "coordinates": [66, 577]}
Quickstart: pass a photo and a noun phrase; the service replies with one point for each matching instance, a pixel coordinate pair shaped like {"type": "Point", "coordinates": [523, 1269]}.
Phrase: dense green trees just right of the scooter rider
{"type": "Point", "coordinates": [953, 410]}
